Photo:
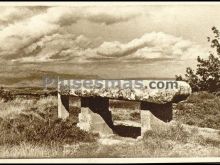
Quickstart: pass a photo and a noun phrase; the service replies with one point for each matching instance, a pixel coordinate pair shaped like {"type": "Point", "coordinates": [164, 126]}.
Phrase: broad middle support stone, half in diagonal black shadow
{"type": "Point", "coordinates": [95, 115]}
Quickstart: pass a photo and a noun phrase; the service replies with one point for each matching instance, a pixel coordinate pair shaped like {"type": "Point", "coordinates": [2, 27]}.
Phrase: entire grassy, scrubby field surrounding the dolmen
{"type": "Point", "coordinates": [30, 129]}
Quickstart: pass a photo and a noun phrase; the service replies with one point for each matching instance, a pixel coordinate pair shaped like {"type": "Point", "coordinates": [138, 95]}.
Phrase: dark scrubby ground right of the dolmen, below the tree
{"type": "Point", "coordinates": [201, 109]}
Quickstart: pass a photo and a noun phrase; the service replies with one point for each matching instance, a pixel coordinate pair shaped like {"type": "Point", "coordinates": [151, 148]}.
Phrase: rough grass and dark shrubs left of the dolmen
{"type": "Point", "coordinates": [37, 123]}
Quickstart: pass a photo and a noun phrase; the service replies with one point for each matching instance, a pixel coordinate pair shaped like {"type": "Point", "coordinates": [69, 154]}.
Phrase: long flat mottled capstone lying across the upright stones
{"type": "Point", "coordinates": [154, 91]}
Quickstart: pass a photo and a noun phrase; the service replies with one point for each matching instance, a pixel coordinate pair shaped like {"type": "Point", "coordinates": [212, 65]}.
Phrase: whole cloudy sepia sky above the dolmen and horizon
{"type": "Point", "coordinates": [111, 41]}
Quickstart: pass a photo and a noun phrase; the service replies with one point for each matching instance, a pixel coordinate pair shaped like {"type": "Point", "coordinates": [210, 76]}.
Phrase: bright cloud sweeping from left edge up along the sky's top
{"type": "Point", "coordinates": [24, 32]}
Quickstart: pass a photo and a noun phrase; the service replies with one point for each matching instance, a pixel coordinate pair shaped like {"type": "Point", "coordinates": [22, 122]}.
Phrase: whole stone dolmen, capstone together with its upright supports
{"type": "Point", "coordinates": [93, 98]}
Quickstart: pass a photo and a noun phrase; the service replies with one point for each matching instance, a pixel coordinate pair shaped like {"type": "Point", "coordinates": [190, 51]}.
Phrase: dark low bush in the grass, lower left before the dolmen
{"type": "Point", "coordinates": [33, 130]}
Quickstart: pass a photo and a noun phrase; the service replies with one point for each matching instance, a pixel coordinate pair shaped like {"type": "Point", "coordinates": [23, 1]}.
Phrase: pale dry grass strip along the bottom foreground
{"type": "Point", "coordinates": [171, 143]}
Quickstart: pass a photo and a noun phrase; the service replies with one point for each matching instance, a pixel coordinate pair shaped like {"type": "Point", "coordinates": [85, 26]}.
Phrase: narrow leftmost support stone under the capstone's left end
{"type": "Point", "coordinates": [63, 106]}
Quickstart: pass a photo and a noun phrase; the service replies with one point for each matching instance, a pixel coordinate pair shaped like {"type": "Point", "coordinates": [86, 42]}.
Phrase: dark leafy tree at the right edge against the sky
{"type": "Point", "coordinates": [207, 75]}
